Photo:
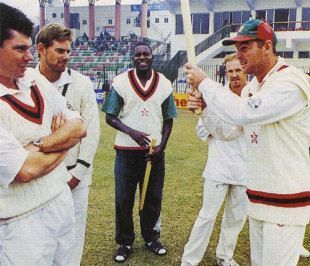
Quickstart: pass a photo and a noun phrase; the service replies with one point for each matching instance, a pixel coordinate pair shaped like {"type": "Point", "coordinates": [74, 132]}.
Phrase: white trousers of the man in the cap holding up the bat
{"type": "Point", "coordinates": [275, 244]}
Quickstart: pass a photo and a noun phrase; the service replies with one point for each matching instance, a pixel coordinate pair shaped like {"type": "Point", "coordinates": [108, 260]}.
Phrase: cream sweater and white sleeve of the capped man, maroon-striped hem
{"type": "Point", "coordinates": [276, 123]}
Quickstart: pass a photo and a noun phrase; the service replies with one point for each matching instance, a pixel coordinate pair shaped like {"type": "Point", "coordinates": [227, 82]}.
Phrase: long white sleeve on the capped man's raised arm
{"type": "Point", "coordinates": [281, 100]}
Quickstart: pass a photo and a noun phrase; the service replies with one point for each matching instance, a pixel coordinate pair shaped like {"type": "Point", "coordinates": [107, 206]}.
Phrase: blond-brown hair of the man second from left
{"type": "Point", "coordinates": [53, 32]}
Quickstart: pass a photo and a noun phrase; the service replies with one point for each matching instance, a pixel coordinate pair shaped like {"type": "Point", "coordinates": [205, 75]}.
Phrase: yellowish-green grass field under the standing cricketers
{"type": "Point", "coordinates": [185, 160]}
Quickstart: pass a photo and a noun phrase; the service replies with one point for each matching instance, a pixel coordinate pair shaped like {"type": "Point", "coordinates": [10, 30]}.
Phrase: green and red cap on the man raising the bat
{"type": "Point", "coordinates": [255, 29]}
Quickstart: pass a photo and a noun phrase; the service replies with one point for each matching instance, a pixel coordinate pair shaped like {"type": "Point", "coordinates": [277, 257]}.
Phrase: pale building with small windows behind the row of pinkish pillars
{"type": "Point", "coordinates": [159, 19]}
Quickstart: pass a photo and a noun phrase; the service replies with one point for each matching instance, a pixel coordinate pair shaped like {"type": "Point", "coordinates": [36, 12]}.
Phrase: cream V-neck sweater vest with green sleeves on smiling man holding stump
{"type": "Point", "coordinates": [142, 108]}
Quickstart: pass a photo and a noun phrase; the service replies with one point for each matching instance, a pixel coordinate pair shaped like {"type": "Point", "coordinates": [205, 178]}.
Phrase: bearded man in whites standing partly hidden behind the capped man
{"type": "Point", "coordinates": [225, 178]}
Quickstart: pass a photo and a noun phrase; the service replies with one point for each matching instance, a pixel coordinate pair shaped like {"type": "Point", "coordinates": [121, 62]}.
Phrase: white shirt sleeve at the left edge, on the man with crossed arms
{"type": "Point", "coordinates": [12, 157]}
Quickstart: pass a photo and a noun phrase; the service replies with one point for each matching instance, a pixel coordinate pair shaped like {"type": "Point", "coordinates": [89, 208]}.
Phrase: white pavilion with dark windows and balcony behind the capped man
{"type": "Point", "coordinates": [289, 18]}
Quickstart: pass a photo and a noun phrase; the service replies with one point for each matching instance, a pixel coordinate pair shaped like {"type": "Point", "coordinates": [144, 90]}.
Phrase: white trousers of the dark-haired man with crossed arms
{"type": "Point", "coordinates": [43, 238]}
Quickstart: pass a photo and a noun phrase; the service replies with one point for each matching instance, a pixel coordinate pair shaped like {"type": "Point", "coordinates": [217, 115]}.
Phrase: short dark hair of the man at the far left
{"type": "Point", "coordinates": [13, 19]}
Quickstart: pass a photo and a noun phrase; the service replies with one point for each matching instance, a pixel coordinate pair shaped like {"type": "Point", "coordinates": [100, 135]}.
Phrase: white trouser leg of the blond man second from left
{"type": "Point", "coordinates": [80, 198]}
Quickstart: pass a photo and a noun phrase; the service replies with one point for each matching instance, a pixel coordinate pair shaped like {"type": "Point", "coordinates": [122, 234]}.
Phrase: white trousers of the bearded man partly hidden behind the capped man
{"type": "Point", "coordinates": [232, 222]}
